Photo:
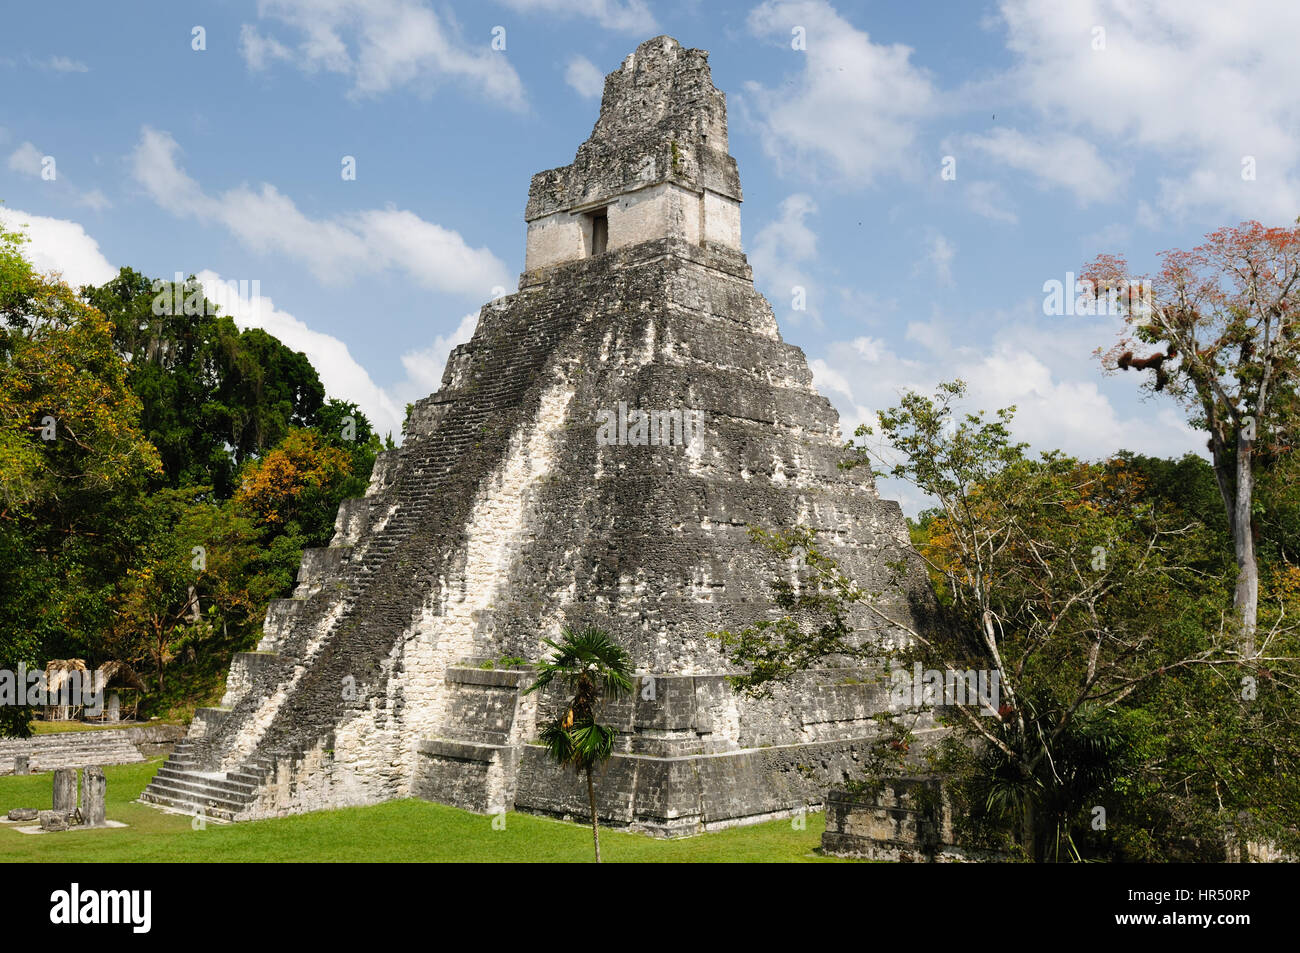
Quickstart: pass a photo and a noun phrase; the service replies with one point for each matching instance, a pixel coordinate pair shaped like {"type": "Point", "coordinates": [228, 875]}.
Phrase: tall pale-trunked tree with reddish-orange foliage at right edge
{"type": "Point", "coordinates": [1223, 320]}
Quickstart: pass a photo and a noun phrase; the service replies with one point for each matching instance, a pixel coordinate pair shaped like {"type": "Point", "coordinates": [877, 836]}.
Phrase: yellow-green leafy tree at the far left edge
{"type": "Point", "coordinates": [73, 463]}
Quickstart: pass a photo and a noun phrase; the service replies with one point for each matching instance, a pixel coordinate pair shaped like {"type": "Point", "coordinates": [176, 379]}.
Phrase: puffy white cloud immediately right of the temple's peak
{"type": "Point", "coordinates": [852, 111]}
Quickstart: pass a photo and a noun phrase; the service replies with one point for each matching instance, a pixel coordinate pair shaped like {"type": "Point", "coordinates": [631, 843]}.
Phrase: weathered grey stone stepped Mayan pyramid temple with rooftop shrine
{"type": "Point", "coordinates": [597, 452]}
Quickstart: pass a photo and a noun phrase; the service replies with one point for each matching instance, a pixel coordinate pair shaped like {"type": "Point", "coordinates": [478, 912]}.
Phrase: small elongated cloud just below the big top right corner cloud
{"type": "Point", "coordinates": [1051, 161]}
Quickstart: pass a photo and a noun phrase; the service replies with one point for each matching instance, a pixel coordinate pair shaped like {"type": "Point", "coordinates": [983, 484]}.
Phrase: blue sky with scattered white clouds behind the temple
{"type": "Point", "coordinates": [1074, 128]}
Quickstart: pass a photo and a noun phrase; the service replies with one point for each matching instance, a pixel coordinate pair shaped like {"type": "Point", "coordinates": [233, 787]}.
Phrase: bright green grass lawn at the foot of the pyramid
{"type": "Point", "coordinates": [396, 831]}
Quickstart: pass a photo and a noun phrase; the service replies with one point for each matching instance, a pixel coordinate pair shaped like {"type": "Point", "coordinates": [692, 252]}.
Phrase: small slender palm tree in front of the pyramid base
{"type": "Point", "coordinates": [592, 666]}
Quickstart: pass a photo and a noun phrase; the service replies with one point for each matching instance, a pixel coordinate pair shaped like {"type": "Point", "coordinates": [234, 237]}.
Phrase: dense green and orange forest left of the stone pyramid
{"type": "Point", "coordinates": [161, 474]}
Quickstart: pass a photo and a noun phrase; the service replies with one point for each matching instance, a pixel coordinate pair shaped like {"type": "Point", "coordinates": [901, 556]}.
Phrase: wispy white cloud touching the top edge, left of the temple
{"type": "Point", "coordinates": [382, 46]}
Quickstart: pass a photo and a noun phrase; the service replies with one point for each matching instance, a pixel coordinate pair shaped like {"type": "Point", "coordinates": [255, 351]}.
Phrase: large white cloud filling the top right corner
{"type": "Point", "coordinates": [1198, 83]}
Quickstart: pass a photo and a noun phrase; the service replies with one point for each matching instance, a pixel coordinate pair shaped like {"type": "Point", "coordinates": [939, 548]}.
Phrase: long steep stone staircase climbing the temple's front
{"type": "Point", "coordinates": [356, 597]}
